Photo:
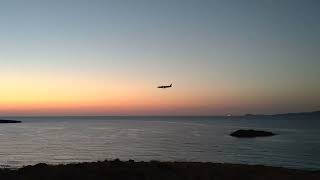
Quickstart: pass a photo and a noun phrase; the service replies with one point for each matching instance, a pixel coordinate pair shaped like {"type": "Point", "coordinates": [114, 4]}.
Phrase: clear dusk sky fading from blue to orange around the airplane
{"type": "Point", "coordinates": [106, 57]}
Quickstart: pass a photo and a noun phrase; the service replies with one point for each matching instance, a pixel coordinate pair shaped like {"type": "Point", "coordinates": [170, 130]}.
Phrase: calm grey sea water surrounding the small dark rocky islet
{"type": "Point", "coordinates": [76, 139]}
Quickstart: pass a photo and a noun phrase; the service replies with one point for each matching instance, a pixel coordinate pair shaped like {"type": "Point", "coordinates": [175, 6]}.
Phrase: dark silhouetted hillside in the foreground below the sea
{"type": "Point", "coordinates": [155, 171]}
